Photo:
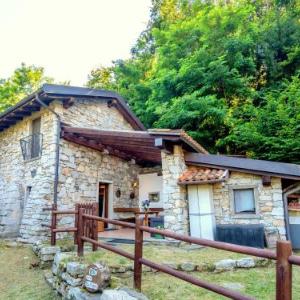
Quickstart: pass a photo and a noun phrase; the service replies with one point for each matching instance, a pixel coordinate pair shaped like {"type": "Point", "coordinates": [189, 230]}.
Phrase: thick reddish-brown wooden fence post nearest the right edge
{"type": "Point", "coordinates": [283, 271]}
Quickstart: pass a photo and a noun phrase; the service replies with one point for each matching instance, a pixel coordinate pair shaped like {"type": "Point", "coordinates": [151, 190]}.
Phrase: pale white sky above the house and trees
{"type": "Point", "coordinates": [68, 38]}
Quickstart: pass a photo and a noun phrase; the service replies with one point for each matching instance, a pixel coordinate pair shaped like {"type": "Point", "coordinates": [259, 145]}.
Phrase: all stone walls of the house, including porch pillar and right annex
{"type": "Point", "coordinates": [26, 187]}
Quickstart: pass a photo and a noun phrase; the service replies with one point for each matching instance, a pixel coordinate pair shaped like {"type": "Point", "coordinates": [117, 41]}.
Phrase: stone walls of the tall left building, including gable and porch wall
{"type": "Point", "coordinates": [27, 186]}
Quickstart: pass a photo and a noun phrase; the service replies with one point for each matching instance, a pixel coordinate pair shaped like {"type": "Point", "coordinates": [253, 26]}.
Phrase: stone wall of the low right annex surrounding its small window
{"type": "Point", "coordinates": [270, 211]}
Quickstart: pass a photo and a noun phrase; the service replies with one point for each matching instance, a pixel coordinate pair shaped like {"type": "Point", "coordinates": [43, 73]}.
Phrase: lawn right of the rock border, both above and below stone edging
{"type": "Point", "coordinates": [258, 282]}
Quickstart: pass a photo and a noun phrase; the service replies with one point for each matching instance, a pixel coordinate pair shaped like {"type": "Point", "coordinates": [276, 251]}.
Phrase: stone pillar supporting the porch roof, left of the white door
{"type": "Point", "coordinates": [174, 195]}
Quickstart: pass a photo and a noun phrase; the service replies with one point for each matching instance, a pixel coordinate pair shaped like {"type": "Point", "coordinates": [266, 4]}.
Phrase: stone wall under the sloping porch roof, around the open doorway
{"type": "Point", "coordinates": [81, 171]}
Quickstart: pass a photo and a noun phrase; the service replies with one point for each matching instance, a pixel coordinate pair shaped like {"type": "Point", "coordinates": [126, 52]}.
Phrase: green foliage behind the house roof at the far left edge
{"type": "Point", "coordinates": [25, 80]}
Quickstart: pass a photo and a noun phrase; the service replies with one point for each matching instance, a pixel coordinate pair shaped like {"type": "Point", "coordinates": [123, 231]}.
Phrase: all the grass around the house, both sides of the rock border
{"type": "Point", "coordinates": [18, 281]}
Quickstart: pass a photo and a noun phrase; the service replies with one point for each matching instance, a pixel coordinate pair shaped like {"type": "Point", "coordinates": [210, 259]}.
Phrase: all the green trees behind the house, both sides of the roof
{"type": "Point", "coordinates": [227, 72]}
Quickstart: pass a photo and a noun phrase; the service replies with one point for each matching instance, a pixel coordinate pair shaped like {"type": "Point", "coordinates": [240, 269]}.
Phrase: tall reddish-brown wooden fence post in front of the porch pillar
{"type": "Point", "coordinates": [138, 253]}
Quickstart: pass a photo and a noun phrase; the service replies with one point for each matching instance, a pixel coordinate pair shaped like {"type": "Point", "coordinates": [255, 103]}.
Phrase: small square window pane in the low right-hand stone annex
{"type": "Point", "coordinates": [244, 201]}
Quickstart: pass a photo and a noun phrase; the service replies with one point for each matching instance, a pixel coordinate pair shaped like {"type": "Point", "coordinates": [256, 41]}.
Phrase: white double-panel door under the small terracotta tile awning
{"type": "Point", "coordinates": [201, 213]}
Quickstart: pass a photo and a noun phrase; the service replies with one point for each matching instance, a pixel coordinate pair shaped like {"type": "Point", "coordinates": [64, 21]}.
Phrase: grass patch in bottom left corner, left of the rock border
{"type": "Point", "coordinates": [17, 280]}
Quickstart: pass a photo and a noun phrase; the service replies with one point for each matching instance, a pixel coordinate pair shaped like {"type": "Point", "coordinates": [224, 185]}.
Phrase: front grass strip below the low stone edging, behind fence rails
{"type": "Point", "coordinates": [259, 282]}
